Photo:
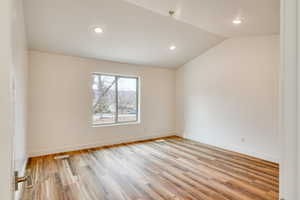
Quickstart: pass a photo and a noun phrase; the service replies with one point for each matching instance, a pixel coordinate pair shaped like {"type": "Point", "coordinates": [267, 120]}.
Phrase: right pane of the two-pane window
{"type": "Point", "coordinates": [127, 99]}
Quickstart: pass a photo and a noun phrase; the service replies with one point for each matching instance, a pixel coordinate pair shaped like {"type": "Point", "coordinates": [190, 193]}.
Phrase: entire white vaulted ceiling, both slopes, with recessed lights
{"type": "Point", "coordinates": [141, 31]}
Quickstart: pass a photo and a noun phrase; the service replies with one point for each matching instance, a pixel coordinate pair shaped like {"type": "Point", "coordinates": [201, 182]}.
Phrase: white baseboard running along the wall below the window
{"type": "Point", "coordinates": [43, 152]}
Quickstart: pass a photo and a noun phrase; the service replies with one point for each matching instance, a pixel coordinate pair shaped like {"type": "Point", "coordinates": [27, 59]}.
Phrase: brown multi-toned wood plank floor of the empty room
{"type": "Point", "coordinates": [173, 169]}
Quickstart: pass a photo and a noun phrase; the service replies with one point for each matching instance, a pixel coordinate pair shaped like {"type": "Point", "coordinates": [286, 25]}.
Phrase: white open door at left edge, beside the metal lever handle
{"type": "Point", "coordinates": [6, 107]}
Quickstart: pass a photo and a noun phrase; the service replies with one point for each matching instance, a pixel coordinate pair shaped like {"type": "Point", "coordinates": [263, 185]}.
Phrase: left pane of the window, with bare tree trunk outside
{"type": "Point", "coordinates": [104, 99]}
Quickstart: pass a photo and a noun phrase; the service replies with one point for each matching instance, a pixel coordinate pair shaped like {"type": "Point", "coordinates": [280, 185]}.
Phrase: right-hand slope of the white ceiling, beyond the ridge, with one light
{"type": "Point", "coordinates": [260, 17]}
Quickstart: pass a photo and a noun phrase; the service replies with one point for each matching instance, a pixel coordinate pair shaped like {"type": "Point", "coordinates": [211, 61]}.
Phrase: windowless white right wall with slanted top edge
{"type": "Point", "coordinates": [230, 93]}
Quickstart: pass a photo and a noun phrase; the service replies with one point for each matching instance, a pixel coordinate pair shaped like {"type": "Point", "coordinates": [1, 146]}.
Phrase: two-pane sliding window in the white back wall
{"type": "Point", "coordinates": [115, 99]}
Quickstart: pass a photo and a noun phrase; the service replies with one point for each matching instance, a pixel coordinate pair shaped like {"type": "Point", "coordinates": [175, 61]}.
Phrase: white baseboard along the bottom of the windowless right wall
{"type": "Point", "coordinates": [238, 150]}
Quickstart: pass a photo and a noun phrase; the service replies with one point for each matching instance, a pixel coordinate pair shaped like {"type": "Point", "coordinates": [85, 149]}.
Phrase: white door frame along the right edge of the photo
{"type": "Point", "coordinates": [289, 98]}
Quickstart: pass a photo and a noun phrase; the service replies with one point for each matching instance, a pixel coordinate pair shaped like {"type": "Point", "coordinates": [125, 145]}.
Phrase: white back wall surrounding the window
{"type": "Point", "coordinates": [60, 103]}
